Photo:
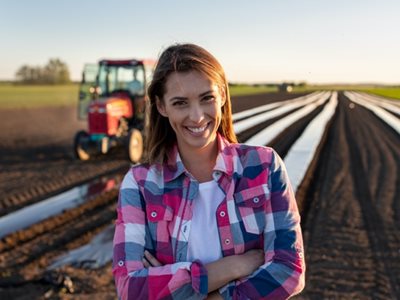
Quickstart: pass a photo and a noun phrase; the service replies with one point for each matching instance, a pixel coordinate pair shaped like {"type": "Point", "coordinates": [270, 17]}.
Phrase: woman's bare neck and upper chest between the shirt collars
{"type": "Point", "coordinates": [200, 163]}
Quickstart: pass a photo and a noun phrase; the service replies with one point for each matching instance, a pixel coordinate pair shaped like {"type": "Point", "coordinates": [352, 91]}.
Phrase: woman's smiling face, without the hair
{"type": "Point", "coordinates": [192, 103]}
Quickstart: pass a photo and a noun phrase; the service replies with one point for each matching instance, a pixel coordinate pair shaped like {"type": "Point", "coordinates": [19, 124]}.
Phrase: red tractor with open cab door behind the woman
{"type": "Point", "coordinates": [112, 98]}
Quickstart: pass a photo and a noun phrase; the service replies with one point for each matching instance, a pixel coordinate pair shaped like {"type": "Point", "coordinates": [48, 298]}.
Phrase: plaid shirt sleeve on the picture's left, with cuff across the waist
{"type": "Point", "coordinates": [183, 280]}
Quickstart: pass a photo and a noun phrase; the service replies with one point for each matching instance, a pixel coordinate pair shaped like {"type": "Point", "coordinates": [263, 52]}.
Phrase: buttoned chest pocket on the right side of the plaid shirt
{"type": "Point", "coordinates": [251, 204]}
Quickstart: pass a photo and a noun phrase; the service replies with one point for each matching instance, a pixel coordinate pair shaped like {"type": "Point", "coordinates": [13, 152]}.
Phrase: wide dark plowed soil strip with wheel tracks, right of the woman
{"type": "Point", "coordinates": [352, 214]}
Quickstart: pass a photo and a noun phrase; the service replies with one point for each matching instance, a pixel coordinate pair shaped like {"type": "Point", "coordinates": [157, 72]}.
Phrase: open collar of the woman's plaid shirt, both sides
{"type": "Point", "coordinates": [174, 167]}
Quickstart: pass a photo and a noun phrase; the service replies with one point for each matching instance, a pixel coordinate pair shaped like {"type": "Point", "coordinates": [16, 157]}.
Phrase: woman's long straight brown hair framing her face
{"type": "Point", "coordinates": [181, 58]}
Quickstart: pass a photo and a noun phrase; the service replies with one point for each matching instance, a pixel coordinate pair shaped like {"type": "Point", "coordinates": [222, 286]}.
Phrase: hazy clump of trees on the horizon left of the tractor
{"type": "Point", "coordinates": [54, 72]}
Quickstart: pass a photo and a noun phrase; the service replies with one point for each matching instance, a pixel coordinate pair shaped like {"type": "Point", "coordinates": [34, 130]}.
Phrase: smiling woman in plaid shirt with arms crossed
{"type": "Point", "coordinates": [205, 216]}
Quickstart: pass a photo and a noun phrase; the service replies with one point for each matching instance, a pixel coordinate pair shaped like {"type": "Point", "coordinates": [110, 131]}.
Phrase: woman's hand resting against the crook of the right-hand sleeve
{"type": "Point", "coordinates": [248, 262]}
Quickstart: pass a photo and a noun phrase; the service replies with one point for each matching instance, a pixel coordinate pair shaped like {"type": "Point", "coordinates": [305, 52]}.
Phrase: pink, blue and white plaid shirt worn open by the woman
{"type": "Point", "coordinates": [259, 212]}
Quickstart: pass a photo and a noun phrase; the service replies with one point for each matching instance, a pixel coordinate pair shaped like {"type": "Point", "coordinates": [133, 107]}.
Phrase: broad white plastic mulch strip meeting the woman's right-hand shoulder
{"type": "Point", "coordinates": [303, 150]}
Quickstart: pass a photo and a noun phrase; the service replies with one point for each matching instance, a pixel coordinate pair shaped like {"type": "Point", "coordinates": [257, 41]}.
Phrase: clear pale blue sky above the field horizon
{"type": "Point", "coordinates": [317, 41]}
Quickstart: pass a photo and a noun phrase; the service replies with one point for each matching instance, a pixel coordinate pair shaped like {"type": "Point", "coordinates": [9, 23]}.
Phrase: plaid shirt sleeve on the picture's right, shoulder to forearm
{"type": "Point", "coordinates": [283, 273]}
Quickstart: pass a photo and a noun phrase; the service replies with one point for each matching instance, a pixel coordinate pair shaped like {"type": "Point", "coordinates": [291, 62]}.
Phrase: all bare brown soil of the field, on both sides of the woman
{"type": "Point", "coordinates": [350, 205]}
